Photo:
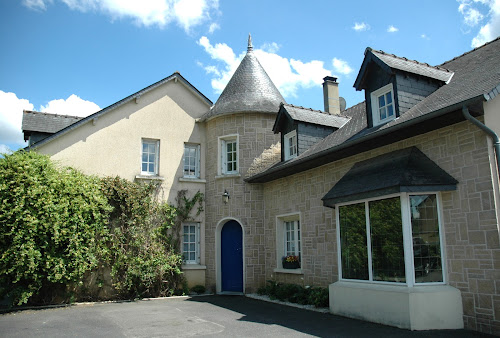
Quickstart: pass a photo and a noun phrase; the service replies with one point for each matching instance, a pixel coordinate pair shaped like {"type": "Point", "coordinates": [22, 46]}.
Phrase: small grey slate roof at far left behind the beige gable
{"type": "Point", "coordinates": [34, 121]}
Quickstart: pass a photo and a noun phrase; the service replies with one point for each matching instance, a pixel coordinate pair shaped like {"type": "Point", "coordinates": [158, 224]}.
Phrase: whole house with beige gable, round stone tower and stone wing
{"type": "Point", "coordinates": [392, 203]}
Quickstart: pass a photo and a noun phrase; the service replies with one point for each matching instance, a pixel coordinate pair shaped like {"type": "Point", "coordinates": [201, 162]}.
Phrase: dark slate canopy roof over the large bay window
{"type": "Point", "coordinates": [405, 170]}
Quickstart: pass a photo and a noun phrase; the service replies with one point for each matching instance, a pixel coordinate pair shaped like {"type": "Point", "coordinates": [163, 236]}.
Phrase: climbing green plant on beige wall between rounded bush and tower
{"type": "Point", "coordinates": [143, 261]}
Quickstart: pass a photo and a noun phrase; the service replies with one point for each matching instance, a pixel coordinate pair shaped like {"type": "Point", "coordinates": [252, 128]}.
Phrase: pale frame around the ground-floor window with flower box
{"type": "Point", "coordinates": [281, 240]}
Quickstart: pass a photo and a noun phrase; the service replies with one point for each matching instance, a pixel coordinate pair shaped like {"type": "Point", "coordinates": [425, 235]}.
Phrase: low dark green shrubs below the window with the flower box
{"type": "Point", "coordinates": [317, 296]}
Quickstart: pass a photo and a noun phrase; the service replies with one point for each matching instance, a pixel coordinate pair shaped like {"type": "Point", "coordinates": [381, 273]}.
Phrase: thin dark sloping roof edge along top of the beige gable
{"type": "Point", "coordinates": [176, 76]}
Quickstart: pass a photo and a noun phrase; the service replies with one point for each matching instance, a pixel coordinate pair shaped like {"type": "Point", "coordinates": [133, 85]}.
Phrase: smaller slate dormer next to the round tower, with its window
{"type": "Point", "coordinates": [301, 128]}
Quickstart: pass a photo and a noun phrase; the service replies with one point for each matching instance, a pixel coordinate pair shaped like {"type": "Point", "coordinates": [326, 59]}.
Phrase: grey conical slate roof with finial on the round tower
{"type": "Point", "coordinates": [249, 90]}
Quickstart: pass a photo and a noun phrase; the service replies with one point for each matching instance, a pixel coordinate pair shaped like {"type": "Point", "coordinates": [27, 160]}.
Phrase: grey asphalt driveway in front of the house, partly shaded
{"type": "Point", "coordinates": [218, 316]}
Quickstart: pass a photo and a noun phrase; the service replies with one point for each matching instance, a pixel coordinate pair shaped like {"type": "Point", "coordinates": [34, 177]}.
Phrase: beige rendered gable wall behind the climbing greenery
{"type": "Point", "coordinates": [112, 146]}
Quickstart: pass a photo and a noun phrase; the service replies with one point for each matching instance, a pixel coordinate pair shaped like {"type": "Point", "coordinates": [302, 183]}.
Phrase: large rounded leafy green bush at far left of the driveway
{"type": "Point", "coordinates": [52, 226]}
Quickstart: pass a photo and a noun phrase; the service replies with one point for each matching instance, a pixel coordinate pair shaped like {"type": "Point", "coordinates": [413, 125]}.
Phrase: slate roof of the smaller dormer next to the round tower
{"type": "Point", "coordinates": [312, 116]}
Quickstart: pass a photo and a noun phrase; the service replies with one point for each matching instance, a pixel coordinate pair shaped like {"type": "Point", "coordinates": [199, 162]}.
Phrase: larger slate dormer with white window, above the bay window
{"type": "Point", "coordinates": [394, 85]}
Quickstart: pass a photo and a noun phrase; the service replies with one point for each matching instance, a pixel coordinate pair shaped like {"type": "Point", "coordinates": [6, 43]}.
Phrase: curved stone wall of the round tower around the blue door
{"type": "Point", "coordinates": [246, 203]}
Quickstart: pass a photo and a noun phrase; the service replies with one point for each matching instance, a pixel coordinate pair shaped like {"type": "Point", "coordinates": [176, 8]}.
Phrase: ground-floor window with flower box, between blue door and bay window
{"type": "Point", "coordinates": [288, 241]}
